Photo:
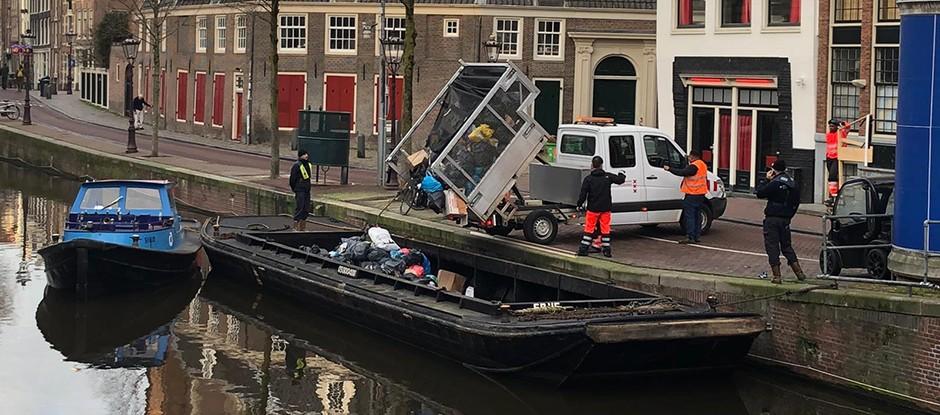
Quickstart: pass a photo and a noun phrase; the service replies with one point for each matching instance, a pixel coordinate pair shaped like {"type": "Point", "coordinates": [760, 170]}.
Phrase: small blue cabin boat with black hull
{"type": "Point", "coordinates": [123, 235]}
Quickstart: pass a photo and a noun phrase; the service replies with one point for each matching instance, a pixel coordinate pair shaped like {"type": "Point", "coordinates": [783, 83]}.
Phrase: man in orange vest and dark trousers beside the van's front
{"type": "Point", "coordinates": [695, 186]}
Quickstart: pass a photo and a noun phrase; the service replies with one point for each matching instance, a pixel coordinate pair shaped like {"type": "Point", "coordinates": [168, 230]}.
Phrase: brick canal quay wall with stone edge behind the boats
{"type": "Point", "coordinates": [882, 341]}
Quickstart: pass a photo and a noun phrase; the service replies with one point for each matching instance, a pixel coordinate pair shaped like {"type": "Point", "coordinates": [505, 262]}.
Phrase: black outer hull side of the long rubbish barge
{"type": "Point", "coordinates": [552, 351]}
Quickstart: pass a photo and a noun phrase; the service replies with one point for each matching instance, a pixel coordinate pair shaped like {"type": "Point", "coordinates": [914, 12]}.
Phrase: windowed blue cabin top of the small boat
{"type": "Point", "coordinates": [137, 197]}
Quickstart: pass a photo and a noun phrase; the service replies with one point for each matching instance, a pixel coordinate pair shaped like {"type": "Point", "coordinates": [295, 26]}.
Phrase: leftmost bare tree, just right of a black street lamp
{"type": "Point", "coordinates": [152, 17]}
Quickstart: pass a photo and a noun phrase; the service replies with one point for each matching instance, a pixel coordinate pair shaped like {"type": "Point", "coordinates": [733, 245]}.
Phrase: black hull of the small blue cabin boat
{"type": "Point", "coordinates": [97, 267]}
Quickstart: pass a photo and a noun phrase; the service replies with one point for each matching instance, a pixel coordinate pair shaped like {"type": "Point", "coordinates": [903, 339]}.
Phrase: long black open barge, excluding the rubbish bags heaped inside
{"type": "Point", "coordinates": [522, 319]}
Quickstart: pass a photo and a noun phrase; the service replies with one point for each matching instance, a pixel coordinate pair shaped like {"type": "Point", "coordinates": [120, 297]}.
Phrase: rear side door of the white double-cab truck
{"type": "Point", "coordinates": [628, 198]}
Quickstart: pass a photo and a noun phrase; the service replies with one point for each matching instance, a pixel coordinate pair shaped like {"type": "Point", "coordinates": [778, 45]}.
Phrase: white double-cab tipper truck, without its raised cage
{"type": "Point", "coordinates": [650, 195]}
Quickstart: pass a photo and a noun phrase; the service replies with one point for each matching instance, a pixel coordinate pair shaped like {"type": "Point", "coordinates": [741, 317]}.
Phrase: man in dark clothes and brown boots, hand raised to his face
{"type": "Point", "coordinates": [783, 200]}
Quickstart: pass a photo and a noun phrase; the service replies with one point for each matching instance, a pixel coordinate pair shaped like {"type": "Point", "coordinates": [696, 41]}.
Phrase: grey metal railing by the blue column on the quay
{"type": "Point", "coordinates": [826, 247]}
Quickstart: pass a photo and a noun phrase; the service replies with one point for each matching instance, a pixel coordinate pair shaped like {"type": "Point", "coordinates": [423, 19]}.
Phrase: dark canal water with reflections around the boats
{"type": "Point", "coordinates": [218, 348]}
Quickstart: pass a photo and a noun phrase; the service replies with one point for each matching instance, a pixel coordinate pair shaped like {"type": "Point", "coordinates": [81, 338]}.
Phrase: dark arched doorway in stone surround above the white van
{"type": "Point", "coordinates": [615, 90]}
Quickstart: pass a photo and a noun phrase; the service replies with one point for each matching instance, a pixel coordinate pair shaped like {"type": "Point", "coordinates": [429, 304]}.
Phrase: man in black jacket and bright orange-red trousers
{"type": "Point", "coordinates": [596, 191]}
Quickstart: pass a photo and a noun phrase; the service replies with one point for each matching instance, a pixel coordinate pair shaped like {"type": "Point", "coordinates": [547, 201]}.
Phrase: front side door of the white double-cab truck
{"type": "Point", "coordinates": [664, 199]}
